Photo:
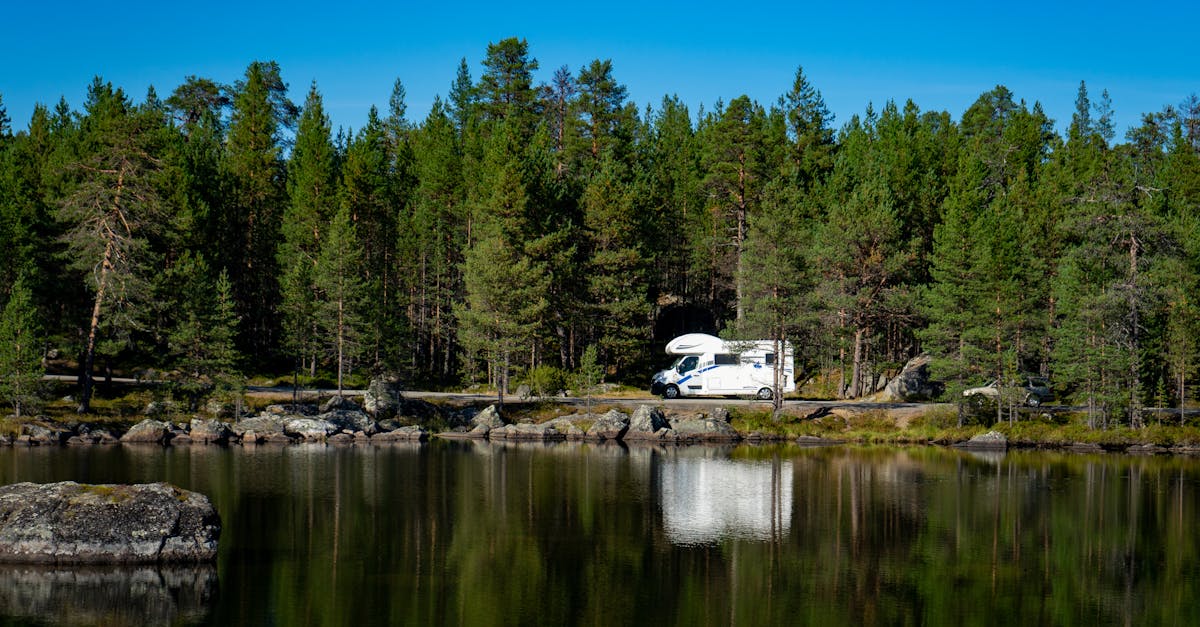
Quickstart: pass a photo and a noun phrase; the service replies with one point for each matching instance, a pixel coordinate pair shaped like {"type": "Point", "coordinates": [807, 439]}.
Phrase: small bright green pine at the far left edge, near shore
{"type": "Point", "coordinates": [21, 357]}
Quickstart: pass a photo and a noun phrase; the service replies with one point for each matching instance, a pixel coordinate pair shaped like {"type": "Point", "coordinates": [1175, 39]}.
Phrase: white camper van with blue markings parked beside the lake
{"type": "Point", "coordinates": [712, 367]}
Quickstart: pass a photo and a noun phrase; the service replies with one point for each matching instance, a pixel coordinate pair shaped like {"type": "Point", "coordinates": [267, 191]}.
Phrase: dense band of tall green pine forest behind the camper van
{"type": "Point", "coordinates": [227, 231]}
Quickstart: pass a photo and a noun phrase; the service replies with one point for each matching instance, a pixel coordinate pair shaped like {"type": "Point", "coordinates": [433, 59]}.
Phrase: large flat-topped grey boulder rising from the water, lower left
{"type": "Point", "coordinates": [73, 523]}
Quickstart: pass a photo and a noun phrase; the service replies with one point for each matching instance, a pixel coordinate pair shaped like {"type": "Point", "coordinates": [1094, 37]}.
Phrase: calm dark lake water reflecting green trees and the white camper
{"type": "Point", "coordinates": [487, 534]}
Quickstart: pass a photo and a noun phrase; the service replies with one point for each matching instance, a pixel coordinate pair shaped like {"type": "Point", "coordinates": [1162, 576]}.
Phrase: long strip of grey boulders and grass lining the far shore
{"type": "Point", "coordinates": [344, 422]}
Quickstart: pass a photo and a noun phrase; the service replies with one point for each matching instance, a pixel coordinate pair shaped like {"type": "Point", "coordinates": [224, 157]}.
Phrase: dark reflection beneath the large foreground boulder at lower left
{"type": "Point", "coordinates": [113, 596]}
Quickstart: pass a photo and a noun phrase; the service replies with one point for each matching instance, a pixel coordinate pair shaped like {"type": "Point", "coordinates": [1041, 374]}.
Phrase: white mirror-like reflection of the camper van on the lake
{"type": "Point", "coordinates": [706, 500]}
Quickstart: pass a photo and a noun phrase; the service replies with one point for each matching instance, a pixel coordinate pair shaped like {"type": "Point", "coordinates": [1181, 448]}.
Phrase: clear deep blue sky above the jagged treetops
{"type": "Point", "coordinates": [940, 56]}
